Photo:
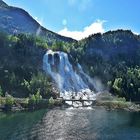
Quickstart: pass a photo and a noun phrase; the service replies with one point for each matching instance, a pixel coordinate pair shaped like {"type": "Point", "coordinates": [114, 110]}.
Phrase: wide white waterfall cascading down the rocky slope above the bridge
{"type": "Point", "coordinates": [70, 82]}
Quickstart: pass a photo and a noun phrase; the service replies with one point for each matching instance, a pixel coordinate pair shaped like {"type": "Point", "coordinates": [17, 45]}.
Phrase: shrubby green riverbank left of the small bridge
{"type": "Point", "coordinates": [24, 104]}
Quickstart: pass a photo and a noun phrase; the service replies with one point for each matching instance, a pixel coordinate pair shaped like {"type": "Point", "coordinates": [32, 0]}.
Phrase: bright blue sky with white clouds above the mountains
{"type": "Point", "coordinates": [79, 18]}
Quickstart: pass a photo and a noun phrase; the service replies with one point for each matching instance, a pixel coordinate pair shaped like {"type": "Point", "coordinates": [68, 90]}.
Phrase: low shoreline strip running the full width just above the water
{"type": "Point", "coordinates": [114, 104]}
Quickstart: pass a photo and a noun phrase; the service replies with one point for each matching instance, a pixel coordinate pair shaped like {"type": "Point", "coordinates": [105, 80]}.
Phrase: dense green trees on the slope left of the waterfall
{"type": "Point", "coordinates": [21, 59]}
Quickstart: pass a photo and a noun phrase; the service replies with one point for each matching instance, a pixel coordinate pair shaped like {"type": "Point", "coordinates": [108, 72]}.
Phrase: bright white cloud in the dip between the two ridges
{"type": "Point", "coordinates": [95, 27]}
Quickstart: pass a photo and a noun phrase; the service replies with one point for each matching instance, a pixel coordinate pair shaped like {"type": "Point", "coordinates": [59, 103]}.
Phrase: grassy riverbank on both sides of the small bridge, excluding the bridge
{"type": "Point", "coordinates": [106, 101]}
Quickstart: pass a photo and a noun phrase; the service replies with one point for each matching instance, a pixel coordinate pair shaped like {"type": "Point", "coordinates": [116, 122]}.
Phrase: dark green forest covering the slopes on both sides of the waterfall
{"type": "Point", "coordinates": [113, 57]}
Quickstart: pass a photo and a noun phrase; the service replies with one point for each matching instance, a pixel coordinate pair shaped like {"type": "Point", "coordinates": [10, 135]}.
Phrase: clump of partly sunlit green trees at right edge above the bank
{"type": "Point", "coordinates": [128, 85]}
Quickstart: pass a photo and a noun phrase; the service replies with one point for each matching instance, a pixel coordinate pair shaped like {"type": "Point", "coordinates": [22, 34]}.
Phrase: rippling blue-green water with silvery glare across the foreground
{"type": "Point", "coordinates": [70, 124]}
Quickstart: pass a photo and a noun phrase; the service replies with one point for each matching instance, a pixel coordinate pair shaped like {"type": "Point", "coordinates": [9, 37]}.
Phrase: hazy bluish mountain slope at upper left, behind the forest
{"type": "Point", "coordinates": [15, 20]}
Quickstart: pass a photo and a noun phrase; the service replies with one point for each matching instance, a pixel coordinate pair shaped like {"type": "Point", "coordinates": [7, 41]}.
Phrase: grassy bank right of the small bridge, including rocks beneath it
{"type": "Point", "coordinates": [110, 102]}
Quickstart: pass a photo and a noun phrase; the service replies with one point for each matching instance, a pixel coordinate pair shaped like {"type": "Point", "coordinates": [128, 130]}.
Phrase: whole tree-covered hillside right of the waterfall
{"type": "Point", "coordinates": [113, 58]}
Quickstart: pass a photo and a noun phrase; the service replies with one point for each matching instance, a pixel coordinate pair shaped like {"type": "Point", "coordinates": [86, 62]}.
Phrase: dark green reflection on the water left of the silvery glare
{"type": "Point", "coordinates": [17, 126]}
